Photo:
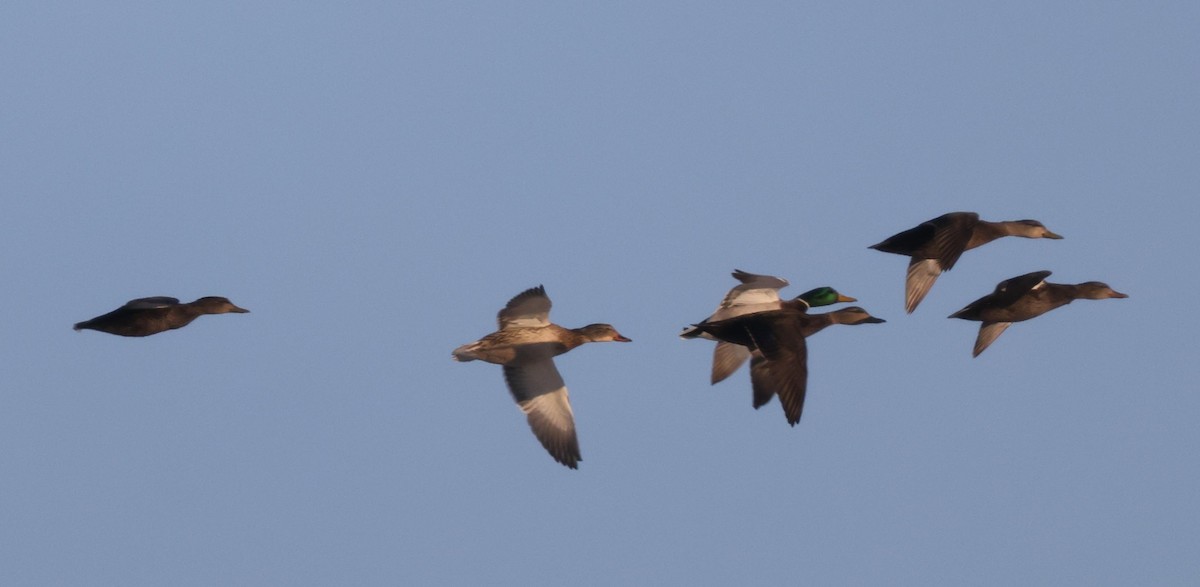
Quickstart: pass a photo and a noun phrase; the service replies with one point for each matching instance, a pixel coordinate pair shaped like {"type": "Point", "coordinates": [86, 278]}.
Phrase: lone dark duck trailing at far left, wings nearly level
{"type": "Point", "coordinates": [148, 316]}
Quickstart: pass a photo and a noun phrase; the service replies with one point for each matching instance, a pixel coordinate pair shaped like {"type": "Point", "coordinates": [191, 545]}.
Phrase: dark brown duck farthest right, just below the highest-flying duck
{"type": "Point", "coordinates": [1023, 298]}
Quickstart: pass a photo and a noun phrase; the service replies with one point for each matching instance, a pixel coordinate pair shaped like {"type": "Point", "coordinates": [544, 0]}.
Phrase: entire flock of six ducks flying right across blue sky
{"type": "Point", "coordinates": [751, 324]}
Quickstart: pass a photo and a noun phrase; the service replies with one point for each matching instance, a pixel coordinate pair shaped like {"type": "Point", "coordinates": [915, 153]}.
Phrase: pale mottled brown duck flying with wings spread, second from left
{"type": "Point", "coordinates": [525, 346]}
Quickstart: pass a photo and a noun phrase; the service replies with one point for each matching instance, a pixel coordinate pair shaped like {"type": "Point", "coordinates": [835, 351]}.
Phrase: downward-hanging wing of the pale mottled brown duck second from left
{"type": "Point", "coordinates": [541, 393]}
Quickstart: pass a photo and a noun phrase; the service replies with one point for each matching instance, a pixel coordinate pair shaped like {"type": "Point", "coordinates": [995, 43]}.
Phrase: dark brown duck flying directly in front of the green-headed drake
{"type": "Point", "coordinates": [779, 336]}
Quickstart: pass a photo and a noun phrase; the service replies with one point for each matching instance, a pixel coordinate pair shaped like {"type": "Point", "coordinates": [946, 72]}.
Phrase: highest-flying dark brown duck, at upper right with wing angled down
{"type": "Point", "coordinates": [937, 245]}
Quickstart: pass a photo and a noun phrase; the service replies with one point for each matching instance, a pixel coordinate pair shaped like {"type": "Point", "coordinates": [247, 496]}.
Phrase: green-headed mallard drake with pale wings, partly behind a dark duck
{"type": "Point", "coordinates": [758, 293]}
